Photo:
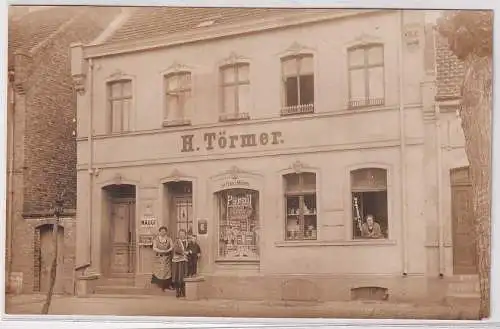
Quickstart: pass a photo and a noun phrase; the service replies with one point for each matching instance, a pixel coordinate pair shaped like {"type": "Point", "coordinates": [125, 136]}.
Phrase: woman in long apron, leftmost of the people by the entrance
{"type": "Point", "coordinates": [162, 271]}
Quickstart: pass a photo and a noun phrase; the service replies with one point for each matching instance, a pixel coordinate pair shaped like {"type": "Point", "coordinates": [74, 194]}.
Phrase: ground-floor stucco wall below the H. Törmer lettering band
{"type": "Point", "coordinates": [339, 254]}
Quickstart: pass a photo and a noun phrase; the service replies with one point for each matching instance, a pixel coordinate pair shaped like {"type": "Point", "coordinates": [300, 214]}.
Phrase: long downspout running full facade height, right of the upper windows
{"type": "Point", "coordinates": [402, 137]}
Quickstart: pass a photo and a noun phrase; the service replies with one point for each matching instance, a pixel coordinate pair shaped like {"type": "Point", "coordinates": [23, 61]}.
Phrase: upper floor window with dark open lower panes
{"type": "Point", "coordinates": [298, 84]}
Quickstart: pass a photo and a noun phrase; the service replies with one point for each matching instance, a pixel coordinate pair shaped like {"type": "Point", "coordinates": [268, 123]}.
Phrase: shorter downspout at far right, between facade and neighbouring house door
{"type": "Point", "coordinates": [439, 157]}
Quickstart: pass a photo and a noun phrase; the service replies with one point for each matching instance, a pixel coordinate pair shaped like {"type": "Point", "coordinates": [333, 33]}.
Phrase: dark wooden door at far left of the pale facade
{"type": "Point", "coordinates": [119, 239]}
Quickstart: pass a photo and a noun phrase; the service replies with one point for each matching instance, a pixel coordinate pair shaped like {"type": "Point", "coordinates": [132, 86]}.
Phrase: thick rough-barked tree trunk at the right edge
{"type": "Point", "coordinates": [476, 123]}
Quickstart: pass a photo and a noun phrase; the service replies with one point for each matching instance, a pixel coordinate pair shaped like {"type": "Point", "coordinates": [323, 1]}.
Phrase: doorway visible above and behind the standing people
{"type": "Point", "coordinates": [178, 209]}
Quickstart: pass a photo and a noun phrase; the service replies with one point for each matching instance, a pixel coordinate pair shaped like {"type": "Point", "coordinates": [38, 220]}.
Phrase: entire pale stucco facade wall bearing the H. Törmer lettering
{"type": "Point", "coordinates": [330, 142]}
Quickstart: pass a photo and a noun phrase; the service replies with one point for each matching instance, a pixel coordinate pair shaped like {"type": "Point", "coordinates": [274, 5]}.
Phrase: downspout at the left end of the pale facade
{"type": "Point", "coordinates": [91, 156]}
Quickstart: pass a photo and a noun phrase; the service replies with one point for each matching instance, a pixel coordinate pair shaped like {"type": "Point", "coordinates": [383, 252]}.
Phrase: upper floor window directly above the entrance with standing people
{"type": "Point", "coordinates": [178, 98]}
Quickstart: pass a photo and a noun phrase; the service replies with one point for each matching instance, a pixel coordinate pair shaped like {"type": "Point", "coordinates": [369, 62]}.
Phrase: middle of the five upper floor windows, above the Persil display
{"type": "Point", "coordinates": [235, 89]}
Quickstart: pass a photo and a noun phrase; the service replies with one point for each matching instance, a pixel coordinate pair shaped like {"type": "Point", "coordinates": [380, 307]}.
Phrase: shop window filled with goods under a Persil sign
{"type": "Point", "coordinates": [238, 224]}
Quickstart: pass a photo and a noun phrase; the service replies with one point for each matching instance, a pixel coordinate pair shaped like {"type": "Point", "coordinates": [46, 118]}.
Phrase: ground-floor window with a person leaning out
{"type": "Point", "coordinates": [369, 203]}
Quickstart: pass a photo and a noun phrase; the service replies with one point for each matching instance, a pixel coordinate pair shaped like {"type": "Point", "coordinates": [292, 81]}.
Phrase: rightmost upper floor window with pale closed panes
{"type": "Point", "coordinates": [366, 76]}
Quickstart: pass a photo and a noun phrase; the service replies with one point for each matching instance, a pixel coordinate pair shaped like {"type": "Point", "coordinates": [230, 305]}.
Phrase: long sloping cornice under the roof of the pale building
{"type": "Point", "coordinates": [218, 32]}
